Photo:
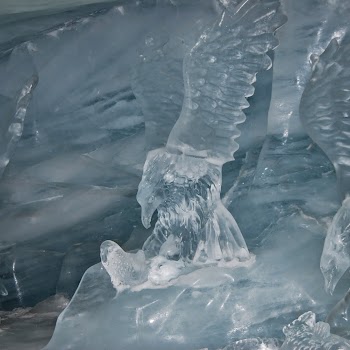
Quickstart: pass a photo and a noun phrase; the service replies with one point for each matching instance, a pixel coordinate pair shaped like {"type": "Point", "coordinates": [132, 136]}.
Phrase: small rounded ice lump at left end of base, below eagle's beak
{"type": "Point", "coordinates": [125, 269]}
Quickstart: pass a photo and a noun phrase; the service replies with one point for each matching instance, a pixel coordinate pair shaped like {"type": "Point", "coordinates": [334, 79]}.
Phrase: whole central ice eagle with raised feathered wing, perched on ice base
{"type": "Point", "coordinates": [183, 180]}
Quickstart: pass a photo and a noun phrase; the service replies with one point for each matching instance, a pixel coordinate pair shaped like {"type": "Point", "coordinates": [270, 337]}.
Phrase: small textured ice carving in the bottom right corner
{"type": "Point", "coordinates": [305, 334]}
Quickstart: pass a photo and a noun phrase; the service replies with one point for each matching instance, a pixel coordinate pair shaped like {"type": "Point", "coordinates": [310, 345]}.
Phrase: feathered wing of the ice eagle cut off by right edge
{"type": "Point", "coordinates": [325, 103]}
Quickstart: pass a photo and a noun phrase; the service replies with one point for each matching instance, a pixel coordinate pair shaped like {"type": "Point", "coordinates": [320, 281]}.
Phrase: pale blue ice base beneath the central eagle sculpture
{"type": "Point", "coordinates": [208, 307]}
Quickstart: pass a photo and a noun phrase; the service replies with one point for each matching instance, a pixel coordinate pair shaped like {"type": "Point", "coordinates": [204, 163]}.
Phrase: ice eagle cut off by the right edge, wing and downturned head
{"type": "Point", "coordinates": [324, 112]}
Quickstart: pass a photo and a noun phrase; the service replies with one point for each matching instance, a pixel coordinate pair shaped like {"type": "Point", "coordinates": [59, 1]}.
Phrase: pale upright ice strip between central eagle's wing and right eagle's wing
{"type": "Point", "coordinates": [310, 27]}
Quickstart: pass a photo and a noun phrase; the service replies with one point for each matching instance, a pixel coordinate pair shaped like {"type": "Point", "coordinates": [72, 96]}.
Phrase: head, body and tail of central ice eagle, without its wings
{"type": "Point", "coordinates": [186, 192]}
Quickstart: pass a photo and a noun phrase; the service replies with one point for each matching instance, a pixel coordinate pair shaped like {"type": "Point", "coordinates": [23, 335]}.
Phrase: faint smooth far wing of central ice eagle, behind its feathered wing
{"type": "Point", "coordinates": [158, 79]}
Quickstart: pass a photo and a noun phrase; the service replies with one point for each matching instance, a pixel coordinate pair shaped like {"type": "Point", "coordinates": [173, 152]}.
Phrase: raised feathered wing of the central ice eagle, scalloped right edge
{"type": "Point", "coordinates": [218, 75]}
